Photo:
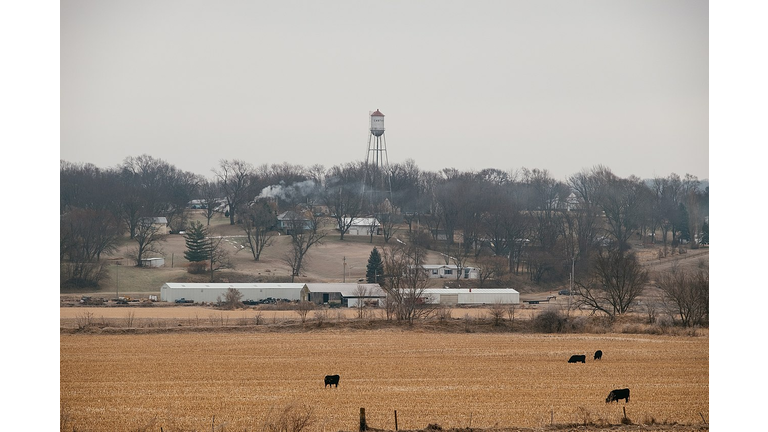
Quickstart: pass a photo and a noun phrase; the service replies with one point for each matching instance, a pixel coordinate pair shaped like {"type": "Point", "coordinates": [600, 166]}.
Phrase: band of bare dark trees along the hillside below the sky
{"type": "Point", "coordinates": [522, 222]}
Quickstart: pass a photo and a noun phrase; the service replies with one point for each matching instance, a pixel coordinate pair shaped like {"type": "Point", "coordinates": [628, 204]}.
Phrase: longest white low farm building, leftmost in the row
{"type": "Point", "coordinates": [213, 292]}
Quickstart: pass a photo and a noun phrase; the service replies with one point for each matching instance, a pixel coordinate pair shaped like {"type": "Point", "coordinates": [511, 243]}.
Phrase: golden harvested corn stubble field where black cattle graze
{"type": "Point", "coordinates": [236, 381]}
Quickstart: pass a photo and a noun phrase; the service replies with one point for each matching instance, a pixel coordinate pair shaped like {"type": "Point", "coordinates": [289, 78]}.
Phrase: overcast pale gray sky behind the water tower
{"type": "Point", "coordinates": [556, 85]}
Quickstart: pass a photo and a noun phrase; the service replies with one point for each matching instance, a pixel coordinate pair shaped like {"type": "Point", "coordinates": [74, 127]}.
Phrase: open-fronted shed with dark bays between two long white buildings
{"type": "Point", "coordinates": [344, 294]}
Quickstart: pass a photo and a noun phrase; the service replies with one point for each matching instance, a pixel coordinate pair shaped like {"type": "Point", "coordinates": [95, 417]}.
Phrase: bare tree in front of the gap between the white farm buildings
{"type": "Point", "coordinates": [405, 280]}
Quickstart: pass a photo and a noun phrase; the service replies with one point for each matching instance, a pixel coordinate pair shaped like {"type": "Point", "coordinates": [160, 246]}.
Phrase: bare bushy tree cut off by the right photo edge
{"type": "Point", "coordinates": [688, 292]}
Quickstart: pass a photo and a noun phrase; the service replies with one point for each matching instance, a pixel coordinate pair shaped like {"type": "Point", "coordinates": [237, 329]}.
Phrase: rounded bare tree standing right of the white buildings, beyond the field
{"type": "Point", "coordinates": [616, 281]}
